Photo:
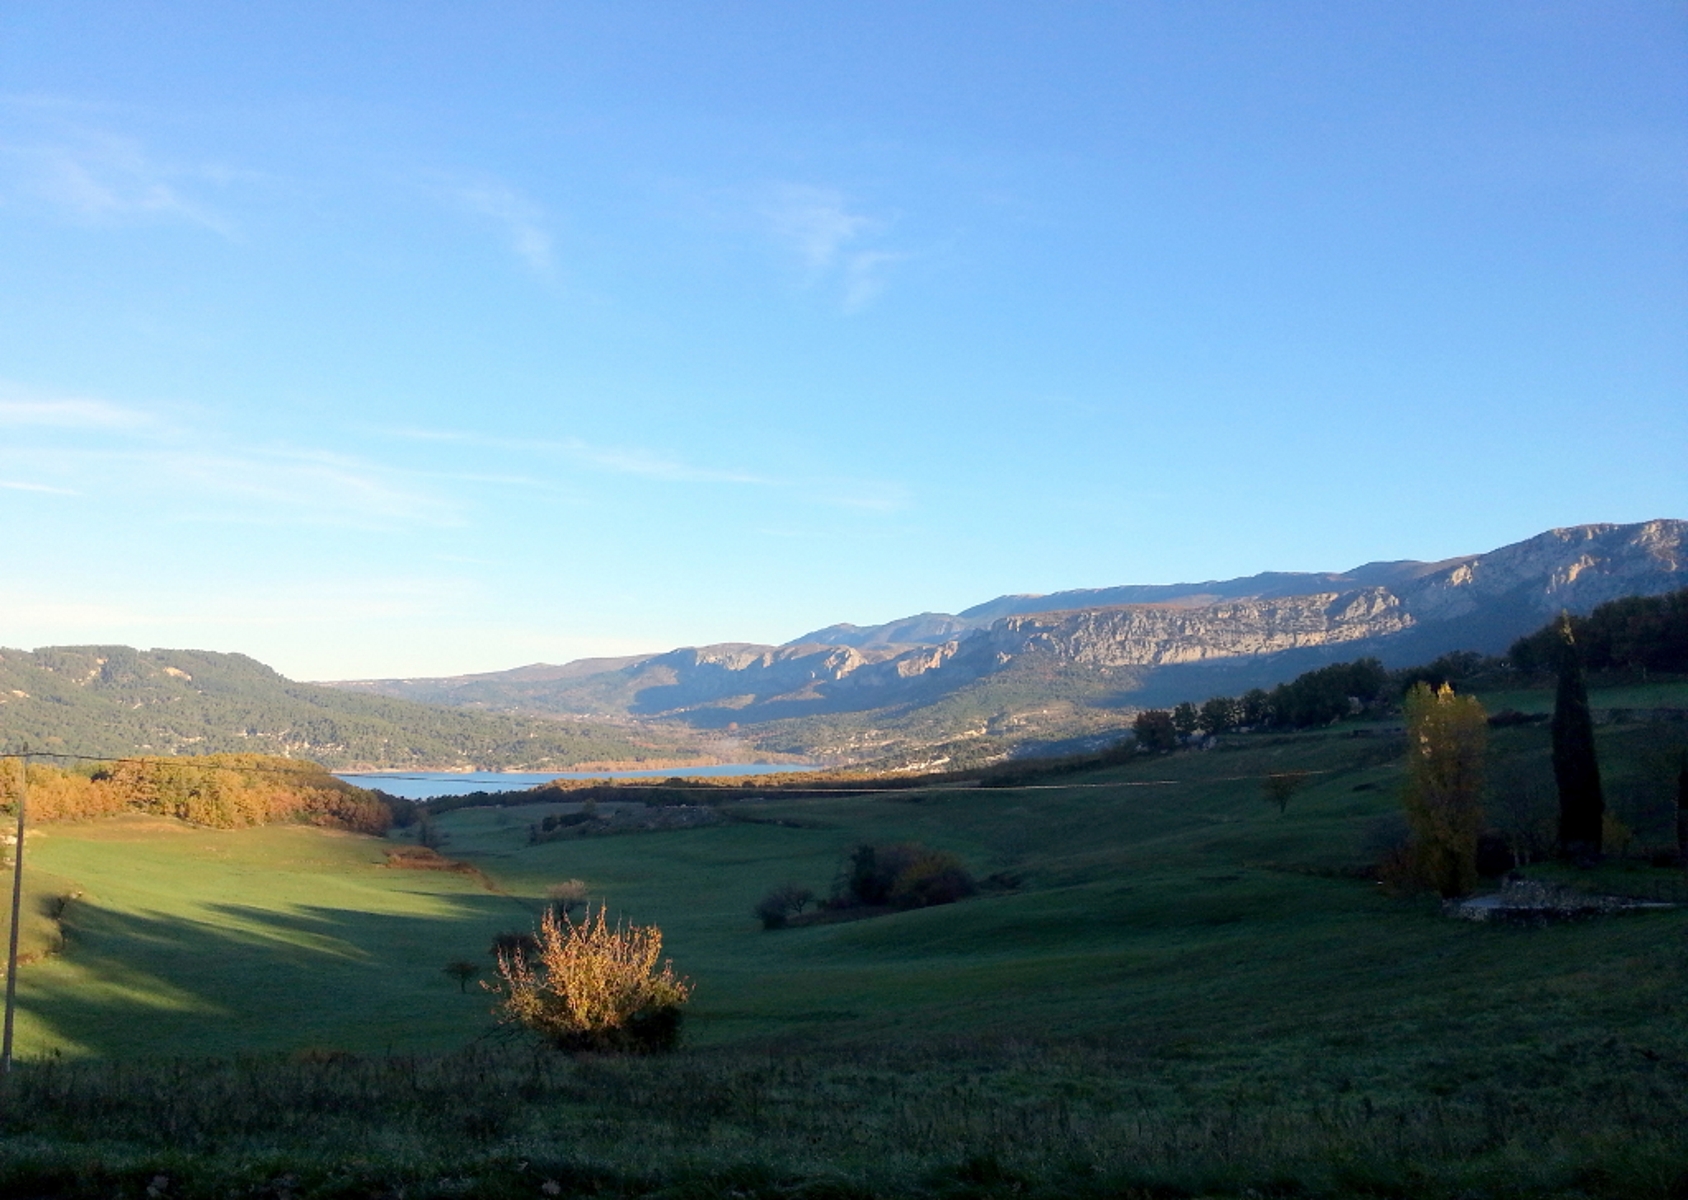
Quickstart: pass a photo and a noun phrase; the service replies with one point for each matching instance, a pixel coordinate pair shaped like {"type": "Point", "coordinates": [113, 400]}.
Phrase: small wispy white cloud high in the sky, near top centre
{"type": "Point", "coordinates": [833, 241]}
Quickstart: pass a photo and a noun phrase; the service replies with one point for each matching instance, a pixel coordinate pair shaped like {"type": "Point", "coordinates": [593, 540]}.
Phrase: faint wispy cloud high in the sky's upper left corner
{"type": "Point", "coordinates": [107, 180]}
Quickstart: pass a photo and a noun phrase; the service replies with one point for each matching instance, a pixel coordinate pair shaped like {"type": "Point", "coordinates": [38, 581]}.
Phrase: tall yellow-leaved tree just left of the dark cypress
{"type": "Point", "coordinates": [1447, 738]}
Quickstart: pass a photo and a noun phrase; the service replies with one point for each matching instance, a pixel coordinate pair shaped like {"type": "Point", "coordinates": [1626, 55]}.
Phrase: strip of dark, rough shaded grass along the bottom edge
{"type": "Point", "coordinates": [948, 1118]}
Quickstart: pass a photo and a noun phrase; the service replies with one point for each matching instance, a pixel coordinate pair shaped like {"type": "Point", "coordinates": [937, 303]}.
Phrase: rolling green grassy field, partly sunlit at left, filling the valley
{"type": "Point", "coordinates": [1186, 995]}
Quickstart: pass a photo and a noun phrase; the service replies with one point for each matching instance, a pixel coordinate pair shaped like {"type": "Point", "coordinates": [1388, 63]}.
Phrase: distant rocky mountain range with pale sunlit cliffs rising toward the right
{"type": "Point", "coordinates": [1037, 669]}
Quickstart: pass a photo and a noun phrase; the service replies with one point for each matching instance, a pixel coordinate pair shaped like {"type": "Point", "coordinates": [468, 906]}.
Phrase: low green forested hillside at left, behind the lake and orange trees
{"type": "Point", "coordinates": [112, 701]}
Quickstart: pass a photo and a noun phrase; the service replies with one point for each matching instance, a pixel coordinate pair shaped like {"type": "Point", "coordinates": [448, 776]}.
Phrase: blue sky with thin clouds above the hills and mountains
{"type": "Point", "coordinates": [426, 338]}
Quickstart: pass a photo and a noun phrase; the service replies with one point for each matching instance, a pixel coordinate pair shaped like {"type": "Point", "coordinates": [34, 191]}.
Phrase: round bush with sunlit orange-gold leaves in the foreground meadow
{"type": "Point", "coordinates": [593, 986]}
